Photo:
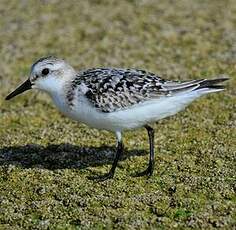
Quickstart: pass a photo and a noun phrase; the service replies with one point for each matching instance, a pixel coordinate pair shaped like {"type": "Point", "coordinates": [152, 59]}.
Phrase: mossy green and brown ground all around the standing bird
{"type": "Point", "coordinates": [45, 158]}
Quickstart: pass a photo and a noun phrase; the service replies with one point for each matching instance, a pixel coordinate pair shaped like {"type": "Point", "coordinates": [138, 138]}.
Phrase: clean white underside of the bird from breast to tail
{"type": "Point", "coordinates": [133, 117]}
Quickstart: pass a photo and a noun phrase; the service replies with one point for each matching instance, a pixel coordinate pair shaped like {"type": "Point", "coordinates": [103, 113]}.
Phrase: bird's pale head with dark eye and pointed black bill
{"type": "Point", "coordinates": [47, 74]}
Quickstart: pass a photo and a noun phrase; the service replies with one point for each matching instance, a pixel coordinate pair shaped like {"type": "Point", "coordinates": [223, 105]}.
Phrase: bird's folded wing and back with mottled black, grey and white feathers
{"type": "Point", "coordinates": [112, 89]}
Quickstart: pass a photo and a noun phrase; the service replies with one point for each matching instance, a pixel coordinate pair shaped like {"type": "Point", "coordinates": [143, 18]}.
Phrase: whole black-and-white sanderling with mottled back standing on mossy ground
{"type": "Point", "coordinates": [114, 99]}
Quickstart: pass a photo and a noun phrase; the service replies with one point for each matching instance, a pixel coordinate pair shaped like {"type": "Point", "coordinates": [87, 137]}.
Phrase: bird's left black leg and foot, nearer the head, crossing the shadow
{"type": "Point", "coordinates": [111, 173]}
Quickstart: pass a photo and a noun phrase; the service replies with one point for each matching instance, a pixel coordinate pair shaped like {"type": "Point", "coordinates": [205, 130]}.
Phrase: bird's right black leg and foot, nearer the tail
{"type": "Point", "coordinates": [150, 167]}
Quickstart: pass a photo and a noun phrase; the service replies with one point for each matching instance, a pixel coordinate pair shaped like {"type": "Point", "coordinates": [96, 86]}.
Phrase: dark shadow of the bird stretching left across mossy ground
{"type": "Point", "coordinates": [61, 156]}
